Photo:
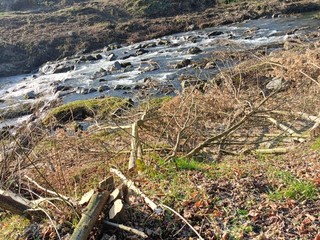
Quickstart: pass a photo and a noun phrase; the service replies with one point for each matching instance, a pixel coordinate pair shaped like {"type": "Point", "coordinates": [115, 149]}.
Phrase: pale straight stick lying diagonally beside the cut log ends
{"type": "Point", "coordinates": [158, 210]}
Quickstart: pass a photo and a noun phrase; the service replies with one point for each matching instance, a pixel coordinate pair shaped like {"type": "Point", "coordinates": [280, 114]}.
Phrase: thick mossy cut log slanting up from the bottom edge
{"type": "Point", "coordinates": [89, 218]}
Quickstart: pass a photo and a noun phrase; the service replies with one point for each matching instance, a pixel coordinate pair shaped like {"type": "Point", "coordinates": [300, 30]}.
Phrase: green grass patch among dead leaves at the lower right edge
{"type": "Point", "coordinates": [293, 188]}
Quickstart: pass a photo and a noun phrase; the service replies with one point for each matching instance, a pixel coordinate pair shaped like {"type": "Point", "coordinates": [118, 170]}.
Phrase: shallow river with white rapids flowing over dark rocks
{"type": "Point", "coordinates": [126, 71]}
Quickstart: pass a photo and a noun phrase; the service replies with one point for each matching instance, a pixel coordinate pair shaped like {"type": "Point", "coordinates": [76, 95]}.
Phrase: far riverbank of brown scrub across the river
{"type": "Point", "coordinates": [29, 39]}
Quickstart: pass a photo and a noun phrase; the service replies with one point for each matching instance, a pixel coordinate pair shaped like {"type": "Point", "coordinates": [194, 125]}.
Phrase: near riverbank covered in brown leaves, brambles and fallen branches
{"type": "Point", "coordinates": [239, 160]}
